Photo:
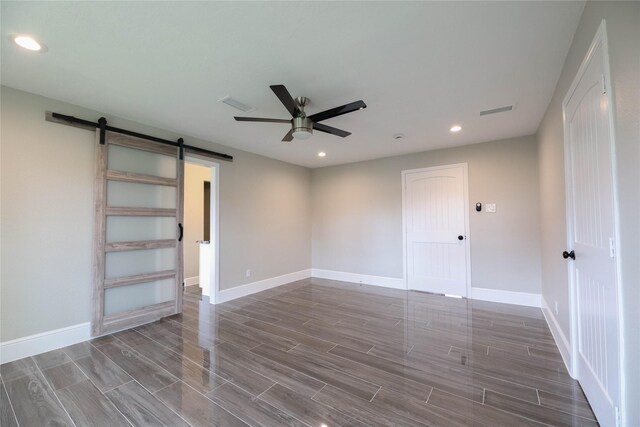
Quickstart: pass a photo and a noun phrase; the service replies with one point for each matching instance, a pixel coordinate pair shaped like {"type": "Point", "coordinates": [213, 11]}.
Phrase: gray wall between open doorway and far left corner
{"type": "Point", "coordinates": [265, 220]}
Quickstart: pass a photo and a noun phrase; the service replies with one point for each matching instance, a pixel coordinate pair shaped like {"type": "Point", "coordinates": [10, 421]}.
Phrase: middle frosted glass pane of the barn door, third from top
{"type": "Point", "coordinates": [130, 228]}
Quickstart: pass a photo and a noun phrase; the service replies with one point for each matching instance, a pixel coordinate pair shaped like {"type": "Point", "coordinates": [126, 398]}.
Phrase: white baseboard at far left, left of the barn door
{"type": "Point", "coordinates": [43, 342]}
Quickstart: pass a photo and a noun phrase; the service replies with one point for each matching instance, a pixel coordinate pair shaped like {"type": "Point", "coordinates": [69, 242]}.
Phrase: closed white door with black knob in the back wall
{"type": "Point", "coordinates": [435, 218]}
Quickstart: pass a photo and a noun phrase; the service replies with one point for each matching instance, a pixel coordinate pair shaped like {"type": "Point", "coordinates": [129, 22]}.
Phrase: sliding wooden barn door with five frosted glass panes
{"type": "Point", "coordinates": [138, 269]}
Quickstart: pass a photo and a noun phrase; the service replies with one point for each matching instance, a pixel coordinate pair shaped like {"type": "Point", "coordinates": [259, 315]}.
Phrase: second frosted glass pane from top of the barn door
{"type": "Point", "coordinates": [126, 194]}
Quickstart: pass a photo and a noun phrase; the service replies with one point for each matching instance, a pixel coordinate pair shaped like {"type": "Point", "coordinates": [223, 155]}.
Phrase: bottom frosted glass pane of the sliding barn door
{"type": "Point", "coordinates": [124, 298]}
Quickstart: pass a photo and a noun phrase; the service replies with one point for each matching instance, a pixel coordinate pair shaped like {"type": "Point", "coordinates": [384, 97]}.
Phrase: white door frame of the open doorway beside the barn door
{"type": "Point", "coordinates": [214, 221]}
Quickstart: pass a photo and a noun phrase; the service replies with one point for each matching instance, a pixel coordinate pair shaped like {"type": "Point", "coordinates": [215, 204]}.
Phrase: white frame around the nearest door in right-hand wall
{"type": "Point", "coordinates": [600, 38]}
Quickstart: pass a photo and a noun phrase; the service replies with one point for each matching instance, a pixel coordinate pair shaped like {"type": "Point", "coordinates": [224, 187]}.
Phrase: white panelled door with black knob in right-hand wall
{"type": "Point", "coordinates": [591, 225]}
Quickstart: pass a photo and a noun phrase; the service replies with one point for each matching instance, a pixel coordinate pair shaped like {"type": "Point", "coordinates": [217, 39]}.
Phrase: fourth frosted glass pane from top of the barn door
{"type": "Point", "coordinates": [129, 263]}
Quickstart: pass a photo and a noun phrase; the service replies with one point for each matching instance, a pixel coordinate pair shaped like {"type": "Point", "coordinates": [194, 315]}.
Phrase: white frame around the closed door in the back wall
{"type": "Point", "coordinates": [465, 184]}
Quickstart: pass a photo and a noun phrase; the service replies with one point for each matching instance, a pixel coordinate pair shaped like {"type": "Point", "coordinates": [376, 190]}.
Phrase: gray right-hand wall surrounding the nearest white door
{"type": "Point", "coordinates": [623, 28]}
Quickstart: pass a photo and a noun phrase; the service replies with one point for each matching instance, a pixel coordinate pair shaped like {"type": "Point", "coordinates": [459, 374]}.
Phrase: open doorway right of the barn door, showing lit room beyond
{"type": "Point", "coordinates": [201, 226]}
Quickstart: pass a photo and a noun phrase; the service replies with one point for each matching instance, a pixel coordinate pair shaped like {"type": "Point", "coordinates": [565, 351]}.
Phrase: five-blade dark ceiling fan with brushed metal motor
{"type": "Point", "coordinates": [302, 125]}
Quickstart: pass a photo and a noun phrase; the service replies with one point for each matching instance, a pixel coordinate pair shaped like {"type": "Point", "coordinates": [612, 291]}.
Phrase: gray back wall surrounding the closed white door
{"type": "Point", "coordinates": [357, 213]}
